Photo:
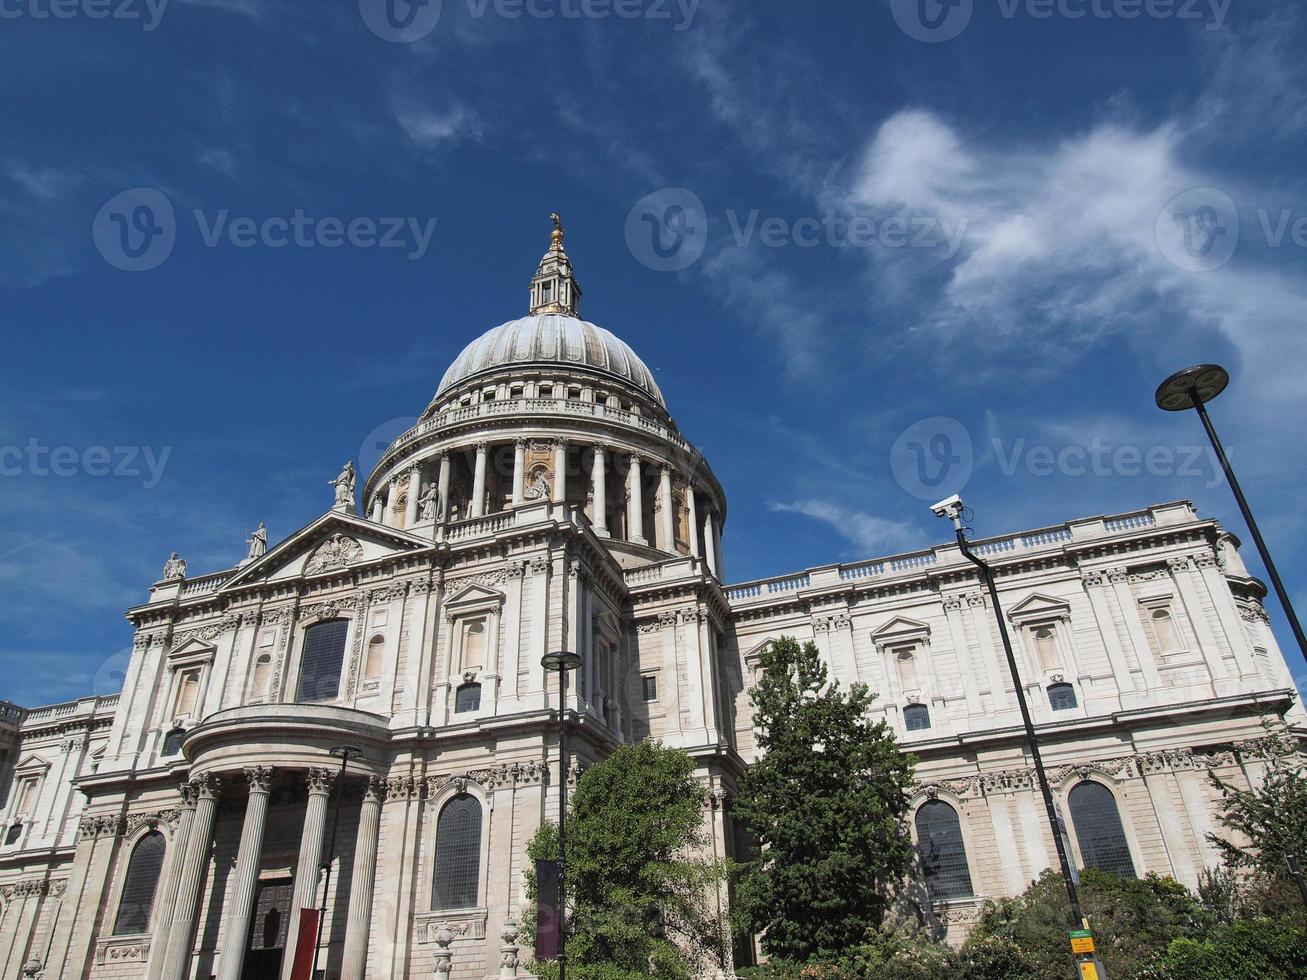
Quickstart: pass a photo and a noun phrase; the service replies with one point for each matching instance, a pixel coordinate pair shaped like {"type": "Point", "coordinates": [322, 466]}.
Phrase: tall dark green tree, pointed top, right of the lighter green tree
{"type": "Point", "coordinates": [825, 803]}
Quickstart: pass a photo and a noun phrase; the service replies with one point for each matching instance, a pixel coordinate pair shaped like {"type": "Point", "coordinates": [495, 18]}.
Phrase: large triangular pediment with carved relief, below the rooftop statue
{"type": "Point", "coordinates": [331, 543]}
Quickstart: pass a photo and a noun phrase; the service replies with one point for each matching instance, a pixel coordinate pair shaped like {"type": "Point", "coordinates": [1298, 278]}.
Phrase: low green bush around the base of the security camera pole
{"type": "Point", "coordinates": [1134, 919]}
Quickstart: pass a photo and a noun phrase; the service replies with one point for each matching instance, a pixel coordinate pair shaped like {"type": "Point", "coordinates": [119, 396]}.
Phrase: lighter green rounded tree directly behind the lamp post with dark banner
{"type": "Point", "coordinates": [641, 892]}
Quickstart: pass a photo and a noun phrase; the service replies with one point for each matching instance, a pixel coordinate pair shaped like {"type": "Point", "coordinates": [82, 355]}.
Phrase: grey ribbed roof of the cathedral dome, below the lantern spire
{"type": "Point", "coordinates": [552, 340]}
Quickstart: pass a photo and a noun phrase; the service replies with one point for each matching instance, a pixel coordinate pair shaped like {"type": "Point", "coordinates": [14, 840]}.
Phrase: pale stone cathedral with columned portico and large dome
{"type": "Point", "coordinates": [357, 719]}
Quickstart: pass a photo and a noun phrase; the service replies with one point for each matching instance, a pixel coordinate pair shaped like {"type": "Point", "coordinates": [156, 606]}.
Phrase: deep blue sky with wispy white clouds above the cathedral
{"type": "Point", "coordinates": [871, 218]}
